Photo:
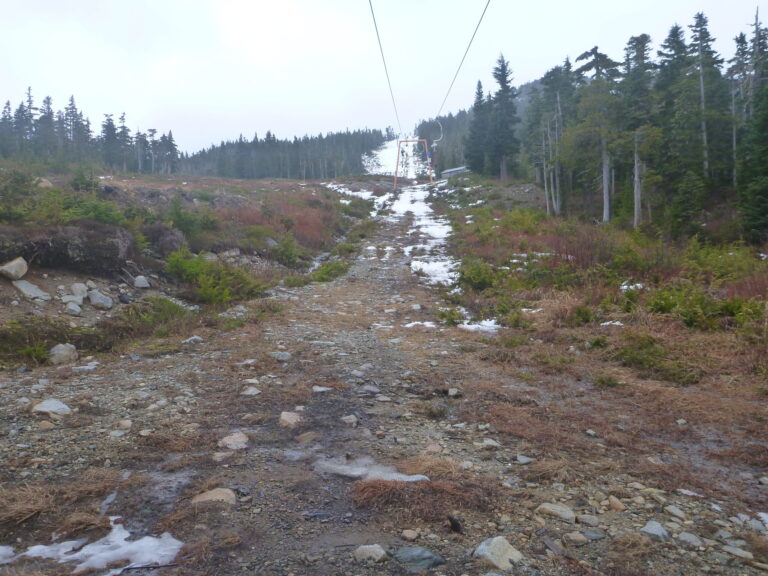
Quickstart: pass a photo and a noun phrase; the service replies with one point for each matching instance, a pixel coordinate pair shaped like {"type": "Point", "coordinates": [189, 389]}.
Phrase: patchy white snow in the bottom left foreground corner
{"type": "Point", "coordinates": [114, 547]}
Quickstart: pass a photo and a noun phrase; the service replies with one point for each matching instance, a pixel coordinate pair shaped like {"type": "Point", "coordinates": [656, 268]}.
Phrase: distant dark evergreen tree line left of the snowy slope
{"type": "Point", "coordinates": [60, 140]}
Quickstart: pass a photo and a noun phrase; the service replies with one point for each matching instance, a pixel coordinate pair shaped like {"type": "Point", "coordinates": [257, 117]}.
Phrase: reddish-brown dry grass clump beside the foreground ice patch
{"type": "Point", "coordinates": [426, 500]}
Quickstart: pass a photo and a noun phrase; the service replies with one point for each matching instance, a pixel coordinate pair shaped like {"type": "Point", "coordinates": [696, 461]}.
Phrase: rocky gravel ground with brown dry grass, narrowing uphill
{"type": "Point", "coordinates": [339, 435]}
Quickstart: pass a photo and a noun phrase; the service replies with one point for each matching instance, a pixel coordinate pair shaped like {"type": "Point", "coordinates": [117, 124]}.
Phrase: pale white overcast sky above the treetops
{"type": "Point", "coordinates": [211, 70]}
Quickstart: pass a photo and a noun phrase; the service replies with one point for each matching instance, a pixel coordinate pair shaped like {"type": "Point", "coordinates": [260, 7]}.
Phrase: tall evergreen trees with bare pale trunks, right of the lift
{"type": "Point", "coordinates": [645, 139]}
